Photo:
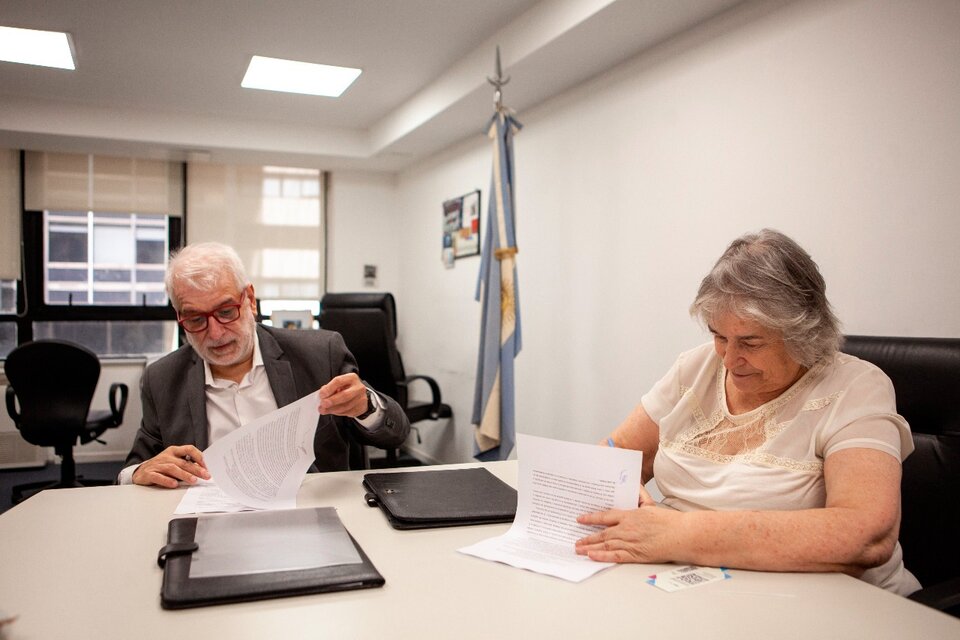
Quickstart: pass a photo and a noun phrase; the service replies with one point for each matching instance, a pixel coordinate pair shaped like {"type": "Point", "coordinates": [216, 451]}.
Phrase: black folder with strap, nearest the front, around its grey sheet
{"type": "Point", "coordinates": [180, 590]}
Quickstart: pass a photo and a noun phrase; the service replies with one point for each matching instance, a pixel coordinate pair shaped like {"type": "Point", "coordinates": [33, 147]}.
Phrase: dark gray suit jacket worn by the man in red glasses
{"type": "Point", "coordinates": [297, 362]}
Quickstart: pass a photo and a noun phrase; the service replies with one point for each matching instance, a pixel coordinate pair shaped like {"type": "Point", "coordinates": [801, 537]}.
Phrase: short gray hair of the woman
{"type": "Point", "coordinates": [770, 279]}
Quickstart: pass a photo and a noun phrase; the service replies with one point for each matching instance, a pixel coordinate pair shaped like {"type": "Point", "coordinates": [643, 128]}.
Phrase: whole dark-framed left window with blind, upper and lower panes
{"type": "Point", "coordinates": [98, 231]}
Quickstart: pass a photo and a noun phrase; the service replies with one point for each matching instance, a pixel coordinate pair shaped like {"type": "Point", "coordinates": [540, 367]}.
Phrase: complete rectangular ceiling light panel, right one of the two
{"type": "Point", "coordinates": [274, 74]}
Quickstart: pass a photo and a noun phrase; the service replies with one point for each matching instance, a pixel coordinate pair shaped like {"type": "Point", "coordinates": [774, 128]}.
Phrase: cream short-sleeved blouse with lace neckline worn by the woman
{"type": "Point", "coordinates": [772, 457]}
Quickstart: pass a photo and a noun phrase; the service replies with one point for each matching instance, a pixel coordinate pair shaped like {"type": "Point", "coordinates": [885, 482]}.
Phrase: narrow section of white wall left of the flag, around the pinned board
{"type": "Point", "coordinates": [438, 318]}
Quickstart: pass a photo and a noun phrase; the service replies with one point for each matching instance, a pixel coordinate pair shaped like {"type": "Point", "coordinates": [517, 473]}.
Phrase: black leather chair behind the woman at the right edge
{"type": "Point", "coordinates": [926, 377]}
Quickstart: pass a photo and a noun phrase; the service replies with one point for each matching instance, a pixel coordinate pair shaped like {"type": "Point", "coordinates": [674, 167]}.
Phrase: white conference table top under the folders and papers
{"type": "Point", "coordinates": [81, 563]}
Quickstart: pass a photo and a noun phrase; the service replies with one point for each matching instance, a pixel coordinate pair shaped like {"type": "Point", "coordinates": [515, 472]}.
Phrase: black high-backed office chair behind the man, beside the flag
{"type": "Point", "coordinates": [368, 324]}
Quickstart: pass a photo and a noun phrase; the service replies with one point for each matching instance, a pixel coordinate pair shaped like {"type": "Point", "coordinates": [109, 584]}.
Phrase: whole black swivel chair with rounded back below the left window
{"type": "Point", "coordinates": [53, 381]}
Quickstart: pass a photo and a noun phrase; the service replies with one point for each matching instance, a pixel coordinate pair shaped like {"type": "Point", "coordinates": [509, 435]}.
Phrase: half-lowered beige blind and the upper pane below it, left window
{"type": "Point", "coordinates": [105, 226]}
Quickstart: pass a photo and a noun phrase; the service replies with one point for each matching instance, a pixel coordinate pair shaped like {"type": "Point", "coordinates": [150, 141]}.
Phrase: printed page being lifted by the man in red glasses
{"type": "Point", "coordinates": [262, 464]}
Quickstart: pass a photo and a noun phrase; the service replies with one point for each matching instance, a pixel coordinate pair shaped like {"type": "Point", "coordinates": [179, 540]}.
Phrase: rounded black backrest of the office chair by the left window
{"type": "Point", "coordinates": [54, 382]}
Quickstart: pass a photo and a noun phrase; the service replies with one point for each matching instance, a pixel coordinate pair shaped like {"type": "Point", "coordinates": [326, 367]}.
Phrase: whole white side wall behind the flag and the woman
{"type": "Point", "coordinates": [833, 121]}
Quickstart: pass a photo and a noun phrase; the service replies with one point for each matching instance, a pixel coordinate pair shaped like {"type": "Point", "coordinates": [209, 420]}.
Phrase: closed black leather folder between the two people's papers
{"type": "Point", "coordinates": [445, 498]}
